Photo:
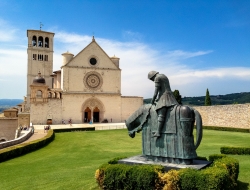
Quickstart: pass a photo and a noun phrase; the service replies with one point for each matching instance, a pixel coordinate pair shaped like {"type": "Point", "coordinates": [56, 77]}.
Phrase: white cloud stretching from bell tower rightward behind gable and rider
{"type": "Point", "coordinates": [137, 59]}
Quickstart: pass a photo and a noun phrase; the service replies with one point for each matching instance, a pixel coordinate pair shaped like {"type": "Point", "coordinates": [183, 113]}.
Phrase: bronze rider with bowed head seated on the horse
{"type": "Point", "coordinates": [165, 98]}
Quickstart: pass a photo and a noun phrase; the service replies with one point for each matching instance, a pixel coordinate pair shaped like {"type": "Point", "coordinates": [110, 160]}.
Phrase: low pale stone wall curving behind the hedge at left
{"type": "Point", "coordinates": [23, 137]}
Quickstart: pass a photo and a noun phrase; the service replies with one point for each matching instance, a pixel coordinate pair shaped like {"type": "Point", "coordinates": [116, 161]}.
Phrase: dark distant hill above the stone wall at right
{"type": "Point", "coordinates": [234, 98]}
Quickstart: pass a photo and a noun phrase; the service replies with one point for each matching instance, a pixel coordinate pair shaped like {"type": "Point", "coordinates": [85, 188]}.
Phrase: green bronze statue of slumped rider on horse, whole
{"type": "Point", "coordinates": [167, 127]}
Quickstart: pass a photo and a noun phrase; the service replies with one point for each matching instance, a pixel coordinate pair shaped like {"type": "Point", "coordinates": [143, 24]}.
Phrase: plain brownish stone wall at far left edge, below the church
{"type": "Point", "coordinates": [8, 128]}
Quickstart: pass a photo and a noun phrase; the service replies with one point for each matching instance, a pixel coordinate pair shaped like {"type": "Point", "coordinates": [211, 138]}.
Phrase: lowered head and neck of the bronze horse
{"type": "Point", "coordinates": [136, 120]}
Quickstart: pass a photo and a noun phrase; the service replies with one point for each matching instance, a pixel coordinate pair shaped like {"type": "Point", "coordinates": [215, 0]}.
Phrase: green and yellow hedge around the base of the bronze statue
{"type": "Point", "coordinates": [222, 174]}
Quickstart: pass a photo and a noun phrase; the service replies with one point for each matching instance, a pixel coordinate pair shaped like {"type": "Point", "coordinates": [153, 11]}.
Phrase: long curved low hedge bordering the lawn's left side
{"type": "Point", "coordinates": [24, 148]}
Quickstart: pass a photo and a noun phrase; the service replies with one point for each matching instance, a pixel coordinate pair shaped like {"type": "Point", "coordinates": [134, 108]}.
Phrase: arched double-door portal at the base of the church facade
{"type": "Point", "coordinates": [92, 110]}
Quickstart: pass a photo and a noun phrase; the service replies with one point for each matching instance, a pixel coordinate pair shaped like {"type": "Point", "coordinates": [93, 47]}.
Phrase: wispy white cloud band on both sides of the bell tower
{"type": "Point", "coordinates": [136, 60]}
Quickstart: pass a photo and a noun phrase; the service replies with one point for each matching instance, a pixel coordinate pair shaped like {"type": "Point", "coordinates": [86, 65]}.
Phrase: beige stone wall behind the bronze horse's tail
{"type": "Point", "coordinates": [235, 115]}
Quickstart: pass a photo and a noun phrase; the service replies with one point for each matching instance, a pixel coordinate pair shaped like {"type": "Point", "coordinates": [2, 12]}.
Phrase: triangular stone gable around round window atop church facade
{"type": "Point", "coordinates": [93, 50]}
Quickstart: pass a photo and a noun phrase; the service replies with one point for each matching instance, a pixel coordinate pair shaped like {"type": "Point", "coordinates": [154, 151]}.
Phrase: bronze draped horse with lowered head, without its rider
{"type": "Point", "coordinates": [176, 143]}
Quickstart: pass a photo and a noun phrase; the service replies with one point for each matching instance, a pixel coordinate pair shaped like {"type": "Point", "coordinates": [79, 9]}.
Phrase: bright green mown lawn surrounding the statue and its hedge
{"type": "Point", "coordinates": [70, 161]}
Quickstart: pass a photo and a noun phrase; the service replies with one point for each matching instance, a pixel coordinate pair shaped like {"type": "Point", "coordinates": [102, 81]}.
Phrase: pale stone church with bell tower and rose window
{"type": "Point", "coordinates": [86, 88]}
